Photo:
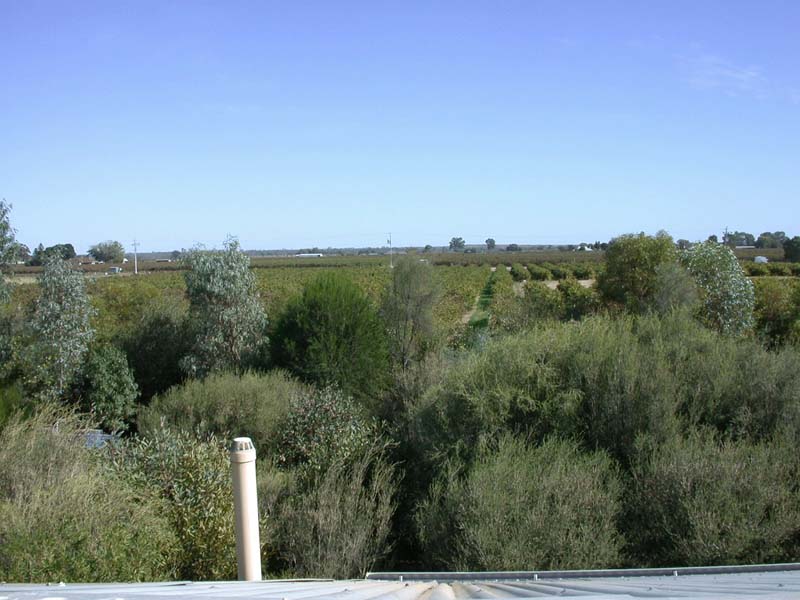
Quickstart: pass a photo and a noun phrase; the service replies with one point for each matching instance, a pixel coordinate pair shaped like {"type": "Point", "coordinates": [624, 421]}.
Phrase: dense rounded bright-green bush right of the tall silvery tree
{"type": "Point", "coordinates": [332, 335]}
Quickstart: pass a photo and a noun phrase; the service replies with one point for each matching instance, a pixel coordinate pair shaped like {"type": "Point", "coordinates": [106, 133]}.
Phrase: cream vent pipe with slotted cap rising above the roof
{"type": "Point", "coordinates": [245, 504]}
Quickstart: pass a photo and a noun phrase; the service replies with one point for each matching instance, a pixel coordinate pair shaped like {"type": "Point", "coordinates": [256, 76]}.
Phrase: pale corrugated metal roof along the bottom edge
{"type": "Point", "coordinates": [766, 584]}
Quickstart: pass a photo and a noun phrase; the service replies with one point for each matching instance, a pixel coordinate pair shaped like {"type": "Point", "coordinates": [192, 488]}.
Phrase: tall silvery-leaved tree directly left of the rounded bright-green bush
{"type": "Point", "coordinates": [225, 314]}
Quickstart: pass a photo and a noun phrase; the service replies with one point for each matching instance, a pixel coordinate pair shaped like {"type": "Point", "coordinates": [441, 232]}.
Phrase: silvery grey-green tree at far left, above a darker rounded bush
{"type": "Point", "coordinates": [58, 333]}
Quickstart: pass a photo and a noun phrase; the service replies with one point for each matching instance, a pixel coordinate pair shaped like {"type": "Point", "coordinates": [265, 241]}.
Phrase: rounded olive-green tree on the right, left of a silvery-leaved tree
{"type": "Point", "coordinates": [630, 277]}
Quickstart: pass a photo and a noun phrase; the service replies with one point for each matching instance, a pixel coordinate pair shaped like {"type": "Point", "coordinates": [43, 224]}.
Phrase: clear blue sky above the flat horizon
{"type": "Point", "coordinates": [331, 123]}
